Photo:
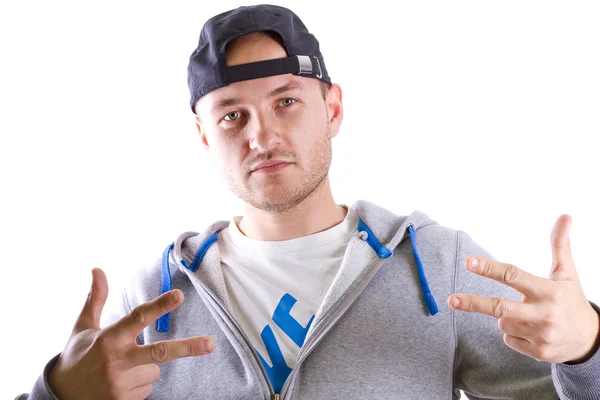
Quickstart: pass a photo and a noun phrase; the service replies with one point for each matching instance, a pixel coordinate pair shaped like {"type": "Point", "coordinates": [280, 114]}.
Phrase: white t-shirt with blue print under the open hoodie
{"type": "Point", "coordinates": [276, 287]}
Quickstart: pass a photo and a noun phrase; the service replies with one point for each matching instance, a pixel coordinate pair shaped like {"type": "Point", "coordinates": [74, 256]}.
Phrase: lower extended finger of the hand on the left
{"type": "Point", "coordinates": [169, 350]}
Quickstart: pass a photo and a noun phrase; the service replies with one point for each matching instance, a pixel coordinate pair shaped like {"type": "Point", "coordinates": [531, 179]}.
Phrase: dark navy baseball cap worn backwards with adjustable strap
{"type": "Point", "coordinates": [208, 70]}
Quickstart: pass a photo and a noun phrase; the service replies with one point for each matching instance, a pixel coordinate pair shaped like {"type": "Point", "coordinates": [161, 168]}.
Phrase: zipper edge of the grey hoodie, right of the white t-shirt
{"type": "Point", "coordinates": [327, 323]}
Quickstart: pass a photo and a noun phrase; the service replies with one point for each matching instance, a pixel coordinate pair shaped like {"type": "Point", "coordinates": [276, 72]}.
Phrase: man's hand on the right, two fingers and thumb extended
{"type": "Point", "coordinates": [555, 322]}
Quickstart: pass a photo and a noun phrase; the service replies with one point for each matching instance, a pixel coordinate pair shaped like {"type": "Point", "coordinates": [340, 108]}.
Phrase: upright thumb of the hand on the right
{"type": "Point", "coordinates": [563, 266]}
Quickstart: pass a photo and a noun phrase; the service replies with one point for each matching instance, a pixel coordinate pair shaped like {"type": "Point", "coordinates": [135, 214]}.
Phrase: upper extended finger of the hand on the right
{"type": "Point", "coordinates": [508, 274]}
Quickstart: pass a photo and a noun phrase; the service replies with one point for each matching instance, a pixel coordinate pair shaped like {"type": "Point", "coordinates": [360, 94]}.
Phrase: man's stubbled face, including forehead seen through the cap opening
{"type": "Point", "coordinates": [280, 119]}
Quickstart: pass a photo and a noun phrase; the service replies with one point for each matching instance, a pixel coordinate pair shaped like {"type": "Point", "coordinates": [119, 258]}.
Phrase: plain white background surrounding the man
{"type": "Point", "coordinates": [484, 115]}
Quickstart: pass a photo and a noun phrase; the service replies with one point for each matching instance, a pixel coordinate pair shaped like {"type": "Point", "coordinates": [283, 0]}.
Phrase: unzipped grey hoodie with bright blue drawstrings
{"type": "Point", "coordinates": [383, 330]}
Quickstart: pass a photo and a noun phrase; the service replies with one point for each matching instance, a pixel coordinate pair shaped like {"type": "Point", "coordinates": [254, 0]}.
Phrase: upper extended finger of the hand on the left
{"type": "Point", "coordinates": [144, 314]}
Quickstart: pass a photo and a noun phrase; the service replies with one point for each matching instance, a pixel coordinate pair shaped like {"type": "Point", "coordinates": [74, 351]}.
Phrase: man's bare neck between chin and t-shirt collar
{"type": "Point", "coordinates": [317, 213]}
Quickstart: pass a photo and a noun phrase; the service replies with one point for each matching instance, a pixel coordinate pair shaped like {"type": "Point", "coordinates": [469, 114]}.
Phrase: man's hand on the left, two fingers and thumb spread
{"type": "Point", "coordinates": [108, 363]}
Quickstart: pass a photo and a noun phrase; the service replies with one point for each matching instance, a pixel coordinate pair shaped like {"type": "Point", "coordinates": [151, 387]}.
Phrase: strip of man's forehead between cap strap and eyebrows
{"type": "Point", "coordinates": [254, 90]}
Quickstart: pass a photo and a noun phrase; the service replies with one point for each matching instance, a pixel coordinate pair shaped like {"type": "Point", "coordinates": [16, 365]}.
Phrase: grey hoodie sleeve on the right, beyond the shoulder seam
{"type": "Point", "coordinates": [486, 368]}
